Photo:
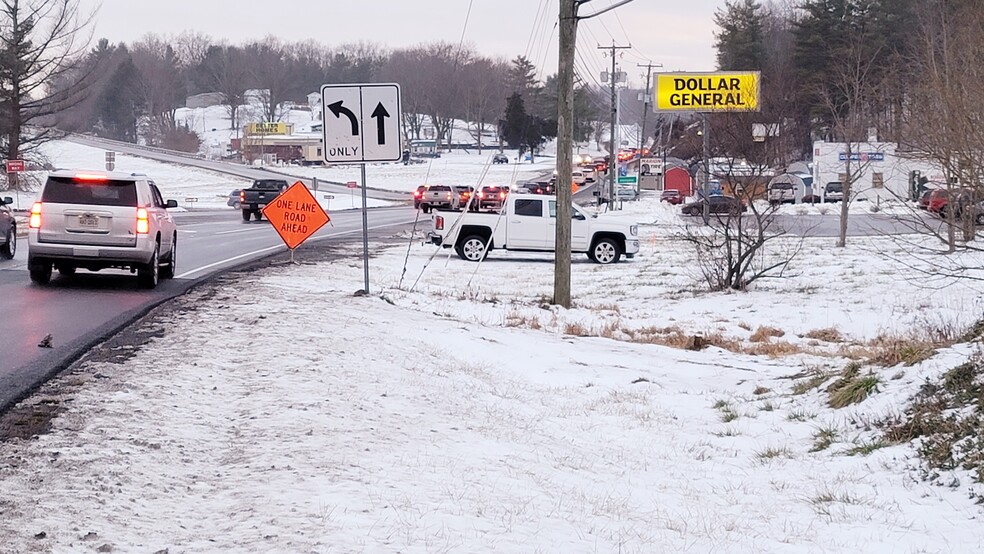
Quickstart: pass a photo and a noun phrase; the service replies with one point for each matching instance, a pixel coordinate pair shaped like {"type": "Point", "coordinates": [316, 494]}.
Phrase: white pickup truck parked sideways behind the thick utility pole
{"type": "Point", "coordinates": [529, 223]}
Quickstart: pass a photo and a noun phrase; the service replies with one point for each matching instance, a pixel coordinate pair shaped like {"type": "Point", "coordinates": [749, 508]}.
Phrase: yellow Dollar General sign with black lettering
{"type": "Point", "coordinates": [723, 91]}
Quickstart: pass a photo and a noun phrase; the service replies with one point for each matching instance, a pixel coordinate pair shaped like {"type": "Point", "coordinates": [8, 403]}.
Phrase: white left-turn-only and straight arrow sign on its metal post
{"type": "Point", "coordinates": [361, 124]}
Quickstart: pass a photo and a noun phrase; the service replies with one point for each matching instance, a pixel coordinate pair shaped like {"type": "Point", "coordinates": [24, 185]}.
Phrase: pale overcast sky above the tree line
{"type": "Point", "coordinates": [678, 35]}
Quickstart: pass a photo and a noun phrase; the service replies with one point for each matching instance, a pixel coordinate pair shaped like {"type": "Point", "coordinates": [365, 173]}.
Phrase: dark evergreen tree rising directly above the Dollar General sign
{"type": "Point", "coordinates": [739, 42]}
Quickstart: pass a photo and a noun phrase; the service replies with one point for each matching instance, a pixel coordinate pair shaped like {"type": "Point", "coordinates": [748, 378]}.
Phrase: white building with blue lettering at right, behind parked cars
{"type": "Point", "coordinates": [878, 170]}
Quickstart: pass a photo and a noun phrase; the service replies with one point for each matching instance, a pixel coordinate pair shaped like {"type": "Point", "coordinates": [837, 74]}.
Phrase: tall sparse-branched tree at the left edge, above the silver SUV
{"type": "Point", "coordinates": [40, 43]}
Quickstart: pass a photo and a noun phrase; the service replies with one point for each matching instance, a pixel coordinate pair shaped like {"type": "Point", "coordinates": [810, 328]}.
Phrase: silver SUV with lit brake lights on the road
{"type": "Point", "coordinates": [97, 220]}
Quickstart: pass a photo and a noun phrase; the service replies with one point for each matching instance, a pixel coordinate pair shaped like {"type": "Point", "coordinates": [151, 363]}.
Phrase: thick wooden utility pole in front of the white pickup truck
{"type": "Point", "coordinates": [565, 144]}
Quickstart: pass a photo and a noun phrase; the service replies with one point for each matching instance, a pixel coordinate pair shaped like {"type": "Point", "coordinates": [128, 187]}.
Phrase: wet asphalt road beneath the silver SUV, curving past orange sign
{"type": "Point", "coordinates": [87, 308]}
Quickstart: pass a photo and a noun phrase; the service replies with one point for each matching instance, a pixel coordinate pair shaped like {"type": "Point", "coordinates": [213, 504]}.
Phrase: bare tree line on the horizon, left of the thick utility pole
{"type": "Point", "coordinates": [51, 78]}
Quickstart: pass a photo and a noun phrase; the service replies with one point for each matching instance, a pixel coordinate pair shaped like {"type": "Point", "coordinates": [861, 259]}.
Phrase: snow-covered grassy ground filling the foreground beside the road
{"type": "Point", "coordinates": [455, 410]}
